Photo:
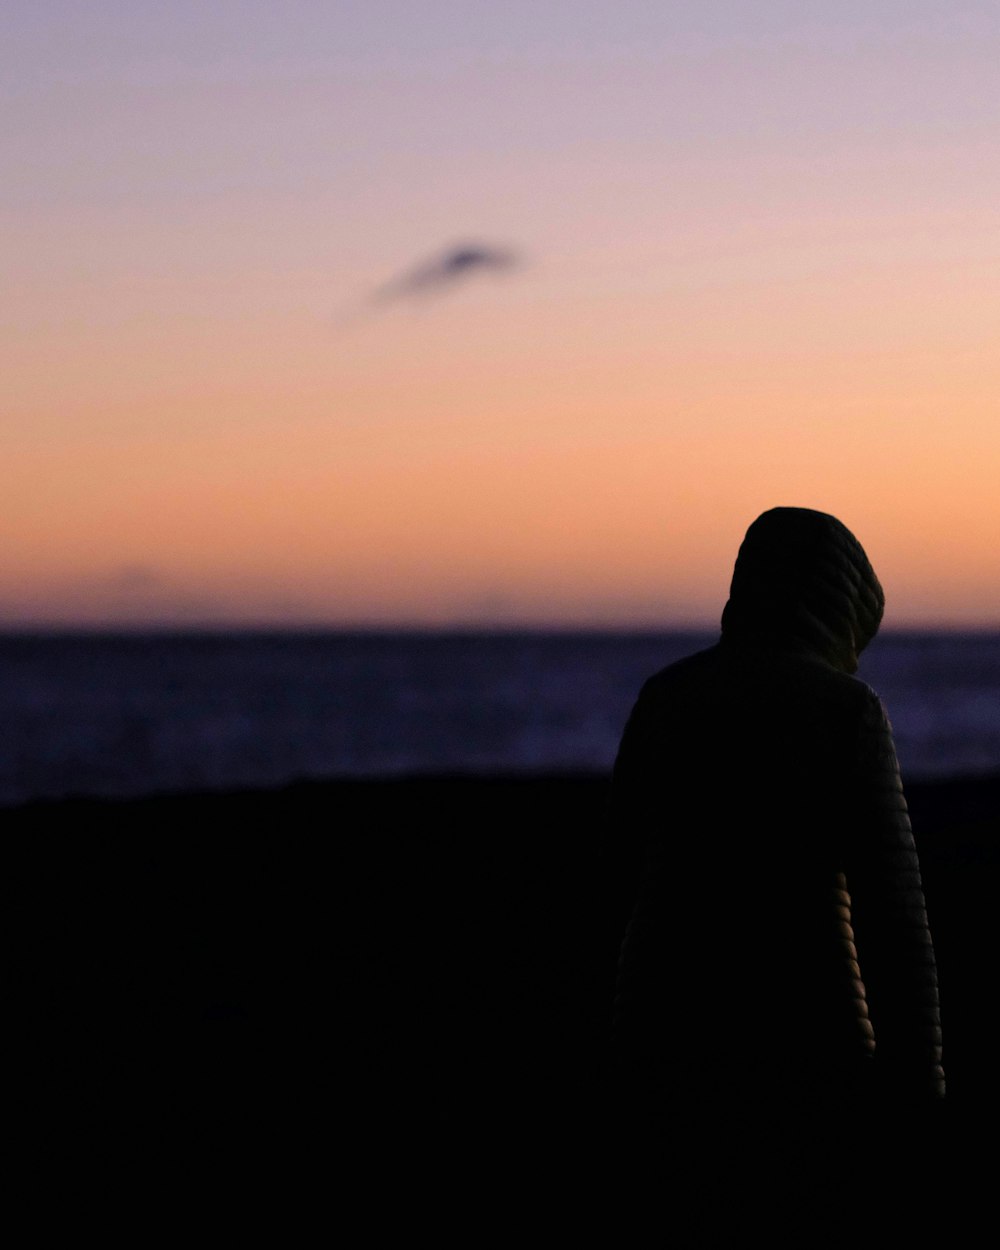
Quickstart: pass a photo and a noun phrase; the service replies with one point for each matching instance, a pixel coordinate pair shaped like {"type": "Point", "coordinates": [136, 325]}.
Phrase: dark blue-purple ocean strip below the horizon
{"type": "Point", "coordinates": [141, 714]}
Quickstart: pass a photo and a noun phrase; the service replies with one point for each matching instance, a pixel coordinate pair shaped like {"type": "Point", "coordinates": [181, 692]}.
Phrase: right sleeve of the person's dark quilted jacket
{"type": "Point", "coordinates": [891, 922]}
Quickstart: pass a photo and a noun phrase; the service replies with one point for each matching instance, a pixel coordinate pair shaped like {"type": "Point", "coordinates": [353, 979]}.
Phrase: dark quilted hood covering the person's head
{"type": "Point", "coordinates": [804, 583]}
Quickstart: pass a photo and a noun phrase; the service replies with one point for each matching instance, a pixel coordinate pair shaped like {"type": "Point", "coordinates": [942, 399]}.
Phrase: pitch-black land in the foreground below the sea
{"type": "Point", "coordinates": [391, 984]}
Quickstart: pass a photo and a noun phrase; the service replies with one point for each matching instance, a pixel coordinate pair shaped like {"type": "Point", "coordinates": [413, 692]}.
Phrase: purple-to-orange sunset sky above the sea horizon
{"type": "Point", "coordinates": [719, 257]}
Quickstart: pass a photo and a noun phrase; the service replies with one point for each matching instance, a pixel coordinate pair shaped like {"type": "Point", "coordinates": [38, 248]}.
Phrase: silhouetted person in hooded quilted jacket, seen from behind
{"type": "Point", "coordinates": [776, 983]}
